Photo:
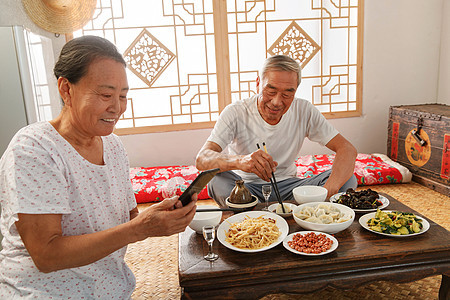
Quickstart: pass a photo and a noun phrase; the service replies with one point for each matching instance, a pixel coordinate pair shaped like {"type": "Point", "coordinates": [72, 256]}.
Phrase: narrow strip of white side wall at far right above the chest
{"type": "Point", "coordinates": [444, 66]}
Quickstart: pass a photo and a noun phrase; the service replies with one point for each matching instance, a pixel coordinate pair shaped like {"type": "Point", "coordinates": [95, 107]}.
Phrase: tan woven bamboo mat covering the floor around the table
{"type": "Point", "coordinates": [154, 261]}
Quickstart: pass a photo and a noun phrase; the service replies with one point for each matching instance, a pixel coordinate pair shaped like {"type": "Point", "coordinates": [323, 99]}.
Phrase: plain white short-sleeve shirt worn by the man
{"type": "Point", "coordinates": [240, 127]}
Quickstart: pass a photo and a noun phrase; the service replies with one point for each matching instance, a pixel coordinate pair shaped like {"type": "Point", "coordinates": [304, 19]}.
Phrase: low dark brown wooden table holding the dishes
{"type": "Point", "coordinates": [362, 257]}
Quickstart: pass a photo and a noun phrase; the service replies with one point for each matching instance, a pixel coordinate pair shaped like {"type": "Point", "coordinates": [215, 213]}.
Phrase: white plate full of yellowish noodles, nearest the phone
{"type": "Point", "coordinates": [252, 231]}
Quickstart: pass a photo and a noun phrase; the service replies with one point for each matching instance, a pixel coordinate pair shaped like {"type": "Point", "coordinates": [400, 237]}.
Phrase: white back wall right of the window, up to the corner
{"type": "Point", "coordinates": [401, 63]}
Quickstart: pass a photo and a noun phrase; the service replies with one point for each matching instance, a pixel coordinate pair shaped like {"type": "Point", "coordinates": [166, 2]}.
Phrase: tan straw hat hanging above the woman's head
{"type": "Point", "coordinates": [60, 16]}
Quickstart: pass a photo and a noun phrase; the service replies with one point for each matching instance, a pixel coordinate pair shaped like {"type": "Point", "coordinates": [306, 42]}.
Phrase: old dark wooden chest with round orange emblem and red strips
{"type": "Point", "coordinates": [419, 139]}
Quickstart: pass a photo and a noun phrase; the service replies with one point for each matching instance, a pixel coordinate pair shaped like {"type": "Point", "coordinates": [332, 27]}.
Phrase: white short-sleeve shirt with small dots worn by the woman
{"type": "Point", "coordinates": [41, 173]}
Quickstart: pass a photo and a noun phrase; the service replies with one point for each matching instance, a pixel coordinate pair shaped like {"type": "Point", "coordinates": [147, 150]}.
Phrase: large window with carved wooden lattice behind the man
{"type": "Point", "coordinates": [188, 59]}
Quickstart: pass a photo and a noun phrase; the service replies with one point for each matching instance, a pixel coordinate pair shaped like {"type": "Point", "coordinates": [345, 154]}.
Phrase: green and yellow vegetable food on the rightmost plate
{"type": "Point", "coordinates": [398, 223]}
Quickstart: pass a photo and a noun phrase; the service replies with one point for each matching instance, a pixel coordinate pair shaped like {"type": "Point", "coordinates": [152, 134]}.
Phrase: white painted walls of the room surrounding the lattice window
{"type": "Point", "coordinates": [403, 47]}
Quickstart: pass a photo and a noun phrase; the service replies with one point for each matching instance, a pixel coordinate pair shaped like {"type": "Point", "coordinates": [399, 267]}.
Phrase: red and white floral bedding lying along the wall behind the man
{"type": "Point", "coordinates": [156, 183]}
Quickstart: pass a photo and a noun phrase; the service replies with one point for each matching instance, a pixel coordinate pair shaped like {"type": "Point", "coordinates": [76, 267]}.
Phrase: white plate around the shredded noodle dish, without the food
{"type": "Point", "coordinates": [225, 225]}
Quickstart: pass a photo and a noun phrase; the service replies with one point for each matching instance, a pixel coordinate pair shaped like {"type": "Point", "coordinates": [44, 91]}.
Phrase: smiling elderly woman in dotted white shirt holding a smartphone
{"type": "Point", "coordinates": [68, 209]}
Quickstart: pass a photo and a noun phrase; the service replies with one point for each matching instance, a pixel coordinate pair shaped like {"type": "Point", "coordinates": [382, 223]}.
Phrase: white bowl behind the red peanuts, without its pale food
{"type": "Point", "coordinates": [327, 228]}
